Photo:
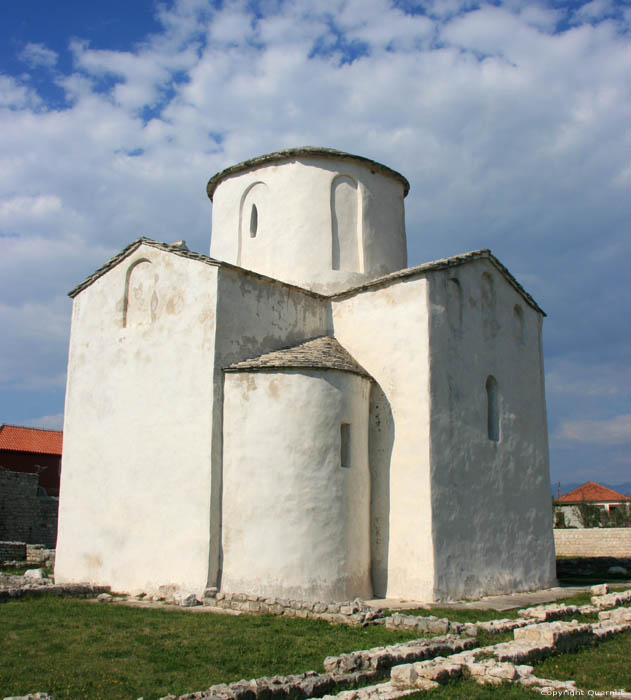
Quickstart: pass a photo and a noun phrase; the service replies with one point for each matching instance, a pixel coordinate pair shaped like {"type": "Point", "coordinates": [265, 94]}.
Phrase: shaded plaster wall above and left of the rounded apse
{"type": "Point", "coordinates": [254, 316]}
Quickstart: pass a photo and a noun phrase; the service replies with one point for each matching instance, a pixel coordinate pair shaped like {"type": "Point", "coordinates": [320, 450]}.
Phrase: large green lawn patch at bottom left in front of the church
{"type": "Point", "coordinates": [80, 650]}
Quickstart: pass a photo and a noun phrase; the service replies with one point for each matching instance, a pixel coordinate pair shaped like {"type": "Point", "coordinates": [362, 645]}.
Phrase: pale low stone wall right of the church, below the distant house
{"type": "Point", "coordinates": [593, 542]}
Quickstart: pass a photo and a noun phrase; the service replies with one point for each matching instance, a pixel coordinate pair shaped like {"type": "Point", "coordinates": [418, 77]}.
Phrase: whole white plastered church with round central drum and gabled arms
{"type": "Point", "coordinates": [301, 415]}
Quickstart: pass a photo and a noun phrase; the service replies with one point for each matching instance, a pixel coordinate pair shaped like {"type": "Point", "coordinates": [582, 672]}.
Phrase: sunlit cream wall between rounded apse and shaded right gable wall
{"type": "Point", "coordinates": [385, 330]}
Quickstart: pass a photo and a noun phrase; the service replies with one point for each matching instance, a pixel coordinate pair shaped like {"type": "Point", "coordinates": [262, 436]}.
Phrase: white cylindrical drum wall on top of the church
{"type": "Point", "coordinates": [294, 239]}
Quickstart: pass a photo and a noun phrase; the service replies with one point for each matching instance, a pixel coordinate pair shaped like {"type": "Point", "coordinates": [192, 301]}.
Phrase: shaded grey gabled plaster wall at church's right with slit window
{"type": "Point", "coordinates": [492, 518]}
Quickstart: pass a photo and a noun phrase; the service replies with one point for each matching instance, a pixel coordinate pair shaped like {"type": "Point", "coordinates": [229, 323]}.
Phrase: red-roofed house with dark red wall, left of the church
{"type": "Point", "coordinates": [34, 451]}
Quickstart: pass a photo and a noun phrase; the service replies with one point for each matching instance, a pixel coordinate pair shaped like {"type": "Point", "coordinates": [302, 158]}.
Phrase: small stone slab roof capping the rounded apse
{"type": "Point", "coordinates": [318, 353]}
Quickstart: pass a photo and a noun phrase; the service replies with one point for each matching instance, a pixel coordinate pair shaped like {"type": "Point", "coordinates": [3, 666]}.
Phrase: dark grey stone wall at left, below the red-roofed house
{"type": "Point", "coordinates": [25, 517]}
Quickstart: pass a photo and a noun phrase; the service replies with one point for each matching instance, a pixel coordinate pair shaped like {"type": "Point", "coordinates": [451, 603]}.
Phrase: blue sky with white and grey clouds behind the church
{"type": "Point", "coordinates": [512, 121]}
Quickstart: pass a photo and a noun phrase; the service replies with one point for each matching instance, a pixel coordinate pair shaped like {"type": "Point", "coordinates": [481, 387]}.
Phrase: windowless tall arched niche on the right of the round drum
{"type": "Point", "coordinates": [345, 221]}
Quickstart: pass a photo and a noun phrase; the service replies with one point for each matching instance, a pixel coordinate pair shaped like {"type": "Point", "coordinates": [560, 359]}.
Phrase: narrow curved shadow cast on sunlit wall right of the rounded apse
{"type": "Point", "coordinates": [381, 439]}
